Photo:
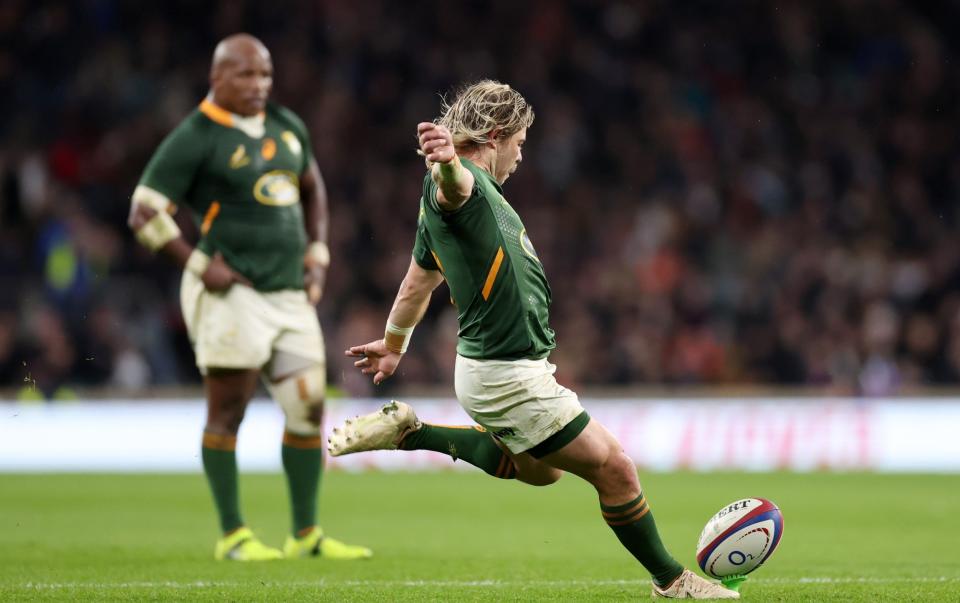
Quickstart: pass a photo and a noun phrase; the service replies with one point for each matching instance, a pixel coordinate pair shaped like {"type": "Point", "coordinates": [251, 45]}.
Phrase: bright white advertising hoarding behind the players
{"type": "Point", "coordinates": [667, 434]}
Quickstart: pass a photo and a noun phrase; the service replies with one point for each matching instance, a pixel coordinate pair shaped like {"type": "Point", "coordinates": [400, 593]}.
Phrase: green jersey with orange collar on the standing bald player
{"type": "Point", "coordinates": [244, 191]}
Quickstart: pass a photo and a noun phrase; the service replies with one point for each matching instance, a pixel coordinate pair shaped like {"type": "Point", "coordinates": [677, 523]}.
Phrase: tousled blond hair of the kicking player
{"type": "Point", "coordinates": [481, 107]}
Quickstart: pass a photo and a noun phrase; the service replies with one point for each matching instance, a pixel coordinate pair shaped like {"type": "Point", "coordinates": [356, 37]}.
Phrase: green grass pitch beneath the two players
{"type": "Point", "coordinates": [455, 536]}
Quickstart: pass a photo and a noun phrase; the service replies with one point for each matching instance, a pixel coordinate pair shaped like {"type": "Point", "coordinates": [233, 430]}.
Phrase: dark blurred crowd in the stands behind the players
{"type": "Point", "coordinates": [721, 192]}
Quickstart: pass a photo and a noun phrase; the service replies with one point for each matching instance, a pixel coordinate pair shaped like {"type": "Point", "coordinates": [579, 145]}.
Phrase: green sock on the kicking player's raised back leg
{"type": "Point", "coordinates": [471, 443]}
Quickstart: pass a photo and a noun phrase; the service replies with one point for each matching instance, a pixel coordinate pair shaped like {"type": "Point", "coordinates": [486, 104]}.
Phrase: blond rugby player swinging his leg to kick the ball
{"type": "Point", "coordinates": [530, 427]}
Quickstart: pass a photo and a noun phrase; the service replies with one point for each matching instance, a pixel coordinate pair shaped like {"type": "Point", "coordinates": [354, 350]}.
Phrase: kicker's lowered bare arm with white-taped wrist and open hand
{"type": "Point", "coordinates": [381, 357]}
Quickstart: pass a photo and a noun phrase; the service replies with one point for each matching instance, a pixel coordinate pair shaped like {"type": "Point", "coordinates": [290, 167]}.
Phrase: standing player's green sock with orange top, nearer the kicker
{"type": "Point", "coordinates": [303, 463]}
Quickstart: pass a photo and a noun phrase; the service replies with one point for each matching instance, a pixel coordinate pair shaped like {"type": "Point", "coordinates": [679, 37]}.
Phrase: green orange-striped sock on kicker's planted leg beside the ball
{"type": "Point", "coordinates": [633, 524]}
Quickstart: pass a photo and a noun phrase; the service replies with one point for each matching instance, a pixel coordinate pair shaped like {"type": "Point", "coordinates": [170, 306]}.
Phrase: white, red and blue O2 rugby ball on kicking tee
{"type": "Point", "coordinates": [739, 538]}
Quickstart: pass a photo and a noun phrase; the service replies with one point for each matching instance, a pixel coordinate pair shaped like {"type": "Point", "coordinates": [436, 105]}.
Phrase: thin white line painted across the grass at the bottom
{"type": "Point", "coordinates": [466, 583]}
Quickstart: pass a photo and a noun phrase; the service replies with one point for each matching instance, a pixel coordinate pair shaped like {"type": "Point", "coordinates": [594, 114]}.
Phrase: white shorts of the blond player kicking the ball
{"type": "Point", "coordinates": [518, 402]}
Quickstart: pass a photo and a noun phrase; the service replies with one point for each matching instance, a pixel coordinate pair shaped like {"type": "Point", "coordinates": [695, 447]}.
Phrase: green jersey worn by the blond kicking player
{"type": "Point", "coordinates": [495, 278]}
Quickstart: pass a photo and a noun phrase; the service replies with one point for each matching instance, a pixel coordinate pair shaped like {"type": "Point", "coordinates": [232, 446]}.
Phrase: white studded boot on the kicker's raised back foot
{"type": "Point", "coordinates": [380, 430]}
